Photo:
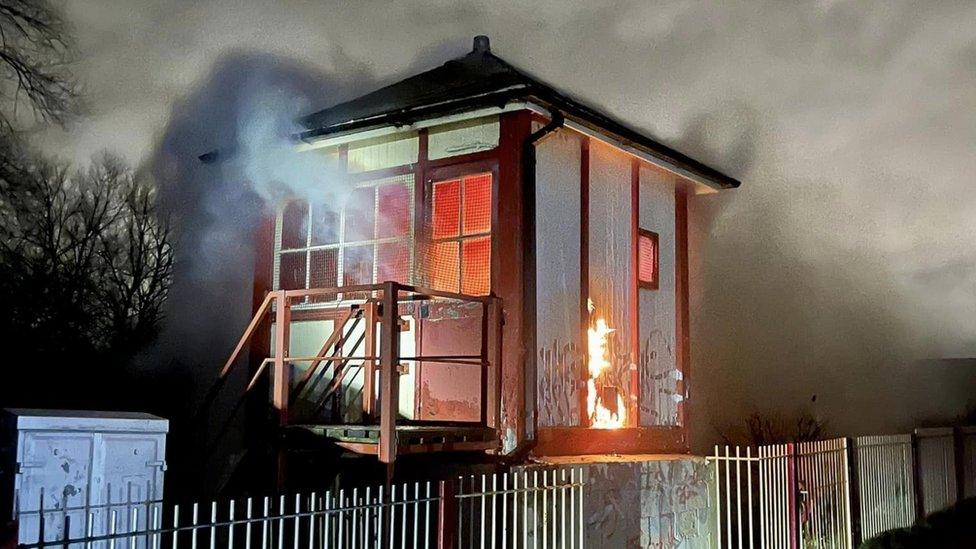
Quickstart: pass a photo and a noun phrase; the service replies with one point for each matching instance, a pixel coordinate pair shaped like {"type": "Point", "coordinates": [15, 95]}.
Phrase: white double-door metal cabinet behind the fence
{"type": "Point", "coordinates": [89, 466]}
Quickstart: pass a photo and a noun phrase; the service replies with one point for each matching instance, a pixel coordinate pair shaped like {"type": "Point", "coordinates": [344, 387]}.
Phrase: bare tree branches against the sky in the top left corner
{"type": "Point", "coordinates": [34, 59]}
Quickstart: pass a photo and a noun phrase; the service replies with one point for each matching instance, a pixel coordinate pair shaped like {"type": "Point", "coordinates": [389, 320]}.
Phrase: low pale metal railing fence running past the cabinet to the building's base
{"type": "Point", "coordinates": [538, 509]}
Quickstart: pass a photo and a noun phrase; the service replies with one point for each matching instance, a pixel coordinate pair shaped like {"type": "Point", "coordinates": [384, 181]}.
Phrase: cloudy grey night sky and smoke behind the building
{"type": "Point", "coordinates": [846, 256]}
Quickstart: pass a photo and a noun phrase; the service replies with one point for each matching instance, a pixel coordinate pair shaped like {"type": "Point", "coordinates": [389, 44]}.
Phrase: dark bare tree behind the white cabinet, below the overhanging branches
{"type": "Point", "coordinates": [85, 261]}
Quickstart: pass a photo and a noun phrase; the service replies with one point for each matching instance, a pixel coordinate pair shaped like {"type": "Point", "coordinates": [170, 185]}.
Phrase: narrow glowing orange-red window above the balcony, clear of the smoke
{"type": "Point", "coordinates": [460, 232]}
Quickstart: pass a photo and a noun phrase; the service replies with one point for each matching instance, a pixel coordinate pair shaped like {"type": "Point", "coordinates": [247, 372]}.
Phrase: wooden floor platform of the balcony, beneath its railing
{"type": "Point", "coordinates": [411, 439]}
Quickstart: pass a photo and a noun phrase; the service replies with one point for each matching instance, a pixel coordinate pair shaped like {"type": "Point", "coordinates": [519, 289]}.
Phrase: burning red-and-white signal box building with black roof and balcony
{"type": "Point", "coordinates": [533, 253]}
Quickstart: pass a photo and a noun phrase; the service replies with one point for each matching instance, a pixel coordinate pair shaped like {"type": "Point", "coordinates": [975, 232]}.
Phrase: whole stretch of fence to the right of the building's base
{"type": "Point", "coordinates": [835, 493]}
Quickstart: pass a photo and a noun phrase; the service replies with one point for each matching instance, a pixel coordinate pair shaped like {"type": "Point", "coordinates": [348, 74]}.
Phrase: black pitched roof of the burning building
{"type": "Point", "coordinates": [477, 80]}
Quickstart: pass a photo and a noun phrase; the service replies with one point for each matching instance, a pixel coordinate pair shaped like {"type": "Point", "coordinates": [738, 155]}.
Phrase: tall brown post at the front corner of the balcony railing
{"type": "Point", "coordinates": [389, 372]}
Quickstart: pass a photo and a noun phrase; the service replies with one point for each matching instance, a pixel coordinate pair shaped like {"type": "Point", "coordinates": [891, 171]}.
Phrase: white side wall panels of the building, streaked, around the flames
{"type": "Point", "coordinates": [559, 360]}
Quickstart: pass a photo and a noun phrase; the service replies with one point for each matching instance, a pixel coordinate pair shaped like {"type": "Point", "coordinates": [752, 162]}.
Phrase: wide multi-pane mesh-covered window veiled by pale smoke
{"type": "Point", "coordinates": [368, 240]}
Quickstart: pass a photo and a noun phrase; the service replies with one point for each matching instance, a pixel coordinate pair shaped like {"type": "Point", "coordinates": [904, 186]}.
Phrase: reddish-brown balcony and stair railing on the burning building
{"type": "Point", "coordinates": [365, 344]}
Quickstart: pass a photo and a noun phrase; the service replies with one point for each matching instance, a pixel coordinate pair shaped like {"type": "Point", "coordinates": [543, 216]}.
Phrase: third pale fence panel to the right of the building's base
{"type": "Point", "coordinates": [886, 488]}
